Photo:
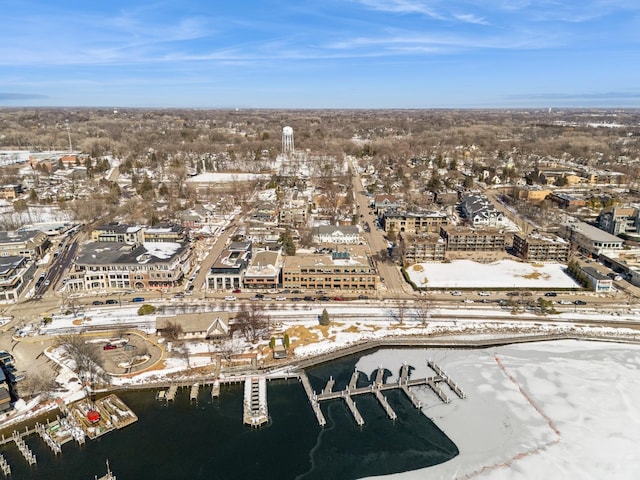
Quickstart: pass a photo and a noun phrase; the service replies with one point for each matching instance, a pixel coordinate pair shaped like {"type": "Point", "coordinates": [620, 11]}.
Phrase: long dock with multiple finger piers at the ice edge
{"type": "Point", "coordinates": [378, 386]}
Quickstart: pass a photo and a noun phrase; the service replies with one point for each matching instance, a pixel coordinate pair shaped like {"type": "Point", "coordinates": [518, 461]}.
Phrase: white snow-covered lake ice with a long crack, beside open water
{"type": "Point", "coordinates": [554, 410]}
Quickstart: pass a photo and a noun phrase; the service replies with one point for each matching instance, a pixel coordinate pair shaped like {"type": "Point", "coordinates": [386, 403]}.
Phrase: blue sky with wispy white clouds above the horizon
{"type": "Point", "coordinates": [320, 53]}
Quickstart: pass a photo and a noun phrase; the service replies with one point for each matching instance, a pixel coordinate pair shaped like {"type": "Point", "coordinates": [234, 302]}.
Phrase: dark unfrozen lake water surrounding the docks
{"type": "Point", "coordinates": [209, 441]}
